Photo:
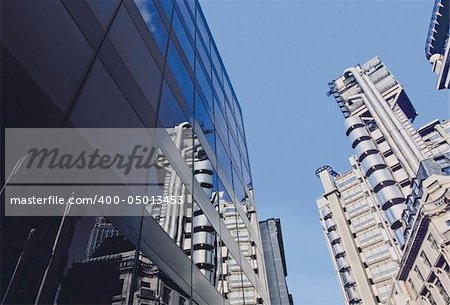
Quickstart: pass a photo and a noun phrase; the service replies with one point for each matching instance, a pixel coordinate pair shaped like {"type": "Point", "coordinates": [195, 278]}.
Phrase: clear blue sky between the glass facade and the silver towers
{"type": "Point", "coordinates": [280, 55]}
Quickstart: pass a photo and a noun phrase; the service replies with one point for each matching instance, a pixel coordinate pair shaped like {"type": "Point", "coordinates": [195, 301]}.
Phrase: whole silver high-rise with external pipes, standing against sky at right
{"type": "Point", "coordinates": [363, 210]}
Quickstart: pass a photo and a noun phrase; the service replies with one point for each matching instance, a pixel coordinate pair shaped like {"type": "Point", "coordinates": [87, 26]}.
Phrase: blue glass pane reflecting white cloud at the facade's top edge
{"type": "Point", "coordinates": [154, 23]}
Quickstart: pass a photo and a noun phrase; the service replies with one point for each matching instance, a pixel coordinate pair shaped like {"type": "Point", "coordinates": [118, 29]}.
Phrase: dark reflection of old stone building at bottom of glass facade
{"type": "Point", "coordinates": [98, 280]}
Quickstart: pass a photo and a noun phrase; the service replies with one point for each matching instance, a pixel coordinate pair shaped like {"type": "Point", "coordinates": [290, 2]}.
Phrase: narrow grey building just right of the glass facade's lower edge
{"type": "Point", "coordinates": [276, 269]}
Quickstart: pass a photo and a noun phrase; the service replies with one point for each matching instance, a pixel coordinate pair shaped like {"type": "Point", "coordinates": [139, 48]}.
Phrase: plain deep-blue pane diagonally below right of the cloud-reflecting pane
{"type": "Point", "coordinates": [180, 73]}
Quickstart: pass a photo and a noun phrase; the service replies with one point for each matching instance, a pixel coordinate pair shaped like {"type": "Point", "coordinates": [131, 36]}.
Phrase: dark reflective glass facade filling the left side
{"type": "Point", "coordinates": [132, 64]}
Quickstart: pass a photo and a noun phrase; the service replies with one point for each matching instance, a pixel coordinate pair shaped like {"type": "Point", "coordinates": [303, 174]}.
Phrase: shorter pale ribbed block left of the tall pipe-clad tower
{"type": "Point", "coordinates": [364, 253]}
